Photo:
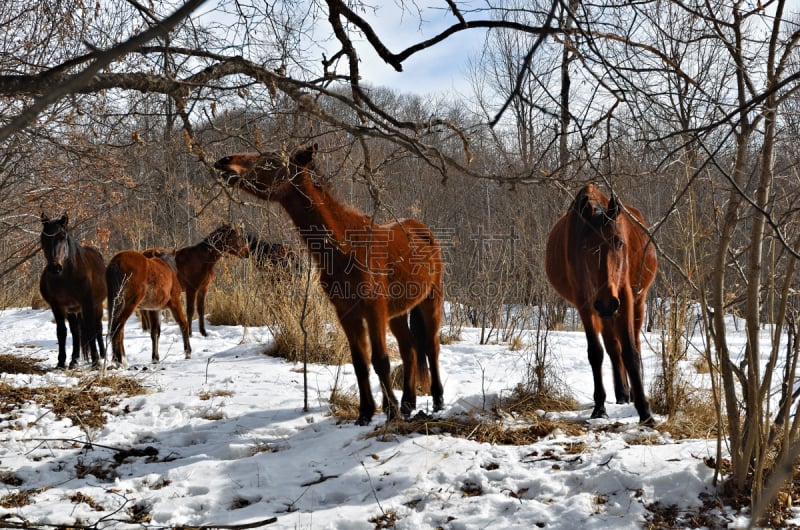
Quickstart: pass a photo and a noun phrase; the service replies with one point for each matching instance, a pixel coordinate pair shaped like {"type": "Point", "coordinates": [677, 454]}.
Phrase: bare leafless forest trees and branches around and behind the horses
{"type": "Point", "coordinates": [115, 112]}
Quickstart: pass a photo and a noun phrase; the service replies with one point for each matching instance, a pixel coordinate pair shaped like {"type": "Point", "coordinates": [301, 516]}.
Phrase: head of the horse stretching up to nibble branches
{"type": "Point", "coordinates": [266, 175]}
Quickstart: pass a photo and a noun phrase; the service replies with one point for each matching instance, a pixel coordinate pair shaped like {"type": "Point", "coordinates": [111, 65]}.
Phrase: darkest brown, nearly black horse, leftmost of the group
{"type": "Point", "coordinates": [74, 284]}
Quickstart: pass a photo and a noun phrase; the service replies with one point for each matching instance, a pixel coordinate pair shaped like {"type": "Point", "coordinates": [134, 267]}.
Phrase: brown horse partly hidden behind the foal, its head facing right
{"type": "Point", "coordinates": [196, 267]}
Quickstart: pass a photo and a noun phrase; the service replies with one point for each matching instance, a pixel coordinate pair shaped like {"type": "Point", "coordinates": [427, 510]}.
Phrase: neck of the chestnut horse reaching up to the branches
{"type": "Point", "coordinates": [317, 214]}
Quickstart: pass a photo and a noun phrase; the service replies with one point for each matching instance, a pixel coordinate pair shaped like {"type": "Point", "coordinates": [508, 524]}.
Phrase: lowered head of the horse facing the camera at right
{"type": "Point", "coordinates": [602, 252]}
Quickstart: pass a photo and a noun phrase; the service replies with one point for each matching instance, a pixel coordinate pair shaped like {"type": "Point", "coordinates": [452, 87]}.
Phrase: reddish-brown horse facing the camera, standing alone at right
{"type": "Point", "coordinates": [602, 261]}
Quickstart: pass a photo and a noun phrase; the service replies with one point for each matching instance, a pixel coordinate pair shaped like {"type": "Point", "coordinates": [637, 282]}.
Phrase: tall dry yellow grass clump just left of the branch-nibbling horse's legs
{"type": "Point", "coordinates": [290, 303]}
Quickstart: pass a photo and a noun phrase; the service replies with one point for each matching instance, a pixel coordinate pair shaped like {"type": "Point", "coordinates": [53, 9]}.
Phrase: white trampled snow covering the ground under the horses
{"type": "Point", "coordinates": [250, 453]}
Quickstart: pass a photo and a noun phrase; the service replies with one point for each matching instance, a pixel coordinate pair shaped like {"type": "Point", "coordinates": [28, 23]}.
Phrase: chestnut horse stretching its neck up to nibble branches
{"type": "Point", "coordinates": [373, 274]}
